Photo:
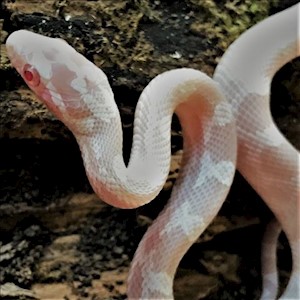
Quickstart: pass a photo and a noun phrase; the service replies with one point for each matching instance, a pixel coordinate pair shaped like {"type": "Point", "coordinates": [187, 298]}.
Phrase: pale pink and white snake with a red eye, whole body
{"type": "Point", "coordinates": [226, 123]}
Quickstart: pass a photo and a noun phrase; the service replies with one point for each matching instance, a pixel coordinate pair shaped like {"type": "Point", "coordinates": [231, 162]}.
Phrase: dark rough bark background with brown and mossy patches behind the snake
{"type": "Point", "coordinates": [57, 240]}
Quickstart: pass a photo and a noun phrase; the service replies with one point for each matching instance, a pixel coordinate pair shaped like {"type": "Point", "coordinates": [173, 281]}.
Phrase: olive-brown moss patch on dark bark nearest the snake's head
{"type": "Point", "coordinates": [123, 42]}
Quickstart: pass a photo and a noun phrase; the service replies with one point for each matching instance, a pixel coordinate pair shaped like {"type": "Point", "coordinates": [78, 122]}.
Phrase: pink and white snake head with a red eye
{"type": "Point", "coordinates": [72, 87]}
